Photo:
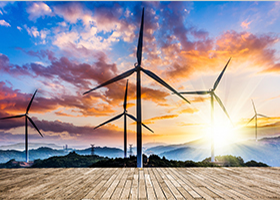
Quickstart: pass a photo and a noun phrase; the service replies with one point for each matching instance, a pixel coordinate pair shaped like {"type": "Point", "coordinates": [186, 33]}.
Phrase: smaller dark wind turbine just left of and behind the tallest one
{"type": "Point", "coordinates": [124, 114]}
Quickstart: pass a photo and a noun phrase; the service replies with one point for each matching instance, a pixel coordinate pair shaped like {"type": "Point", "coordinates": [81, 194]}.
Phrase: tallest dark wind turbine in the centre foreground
{"type": "Point", "coordinates": [138, 68]}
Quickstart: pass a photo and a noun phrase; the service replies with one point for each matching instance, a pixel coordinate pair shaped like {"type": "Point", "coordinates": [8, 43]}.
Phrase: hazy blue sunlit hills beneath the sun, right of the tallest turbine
{"type": "Point", "coordinates": [265, 150]}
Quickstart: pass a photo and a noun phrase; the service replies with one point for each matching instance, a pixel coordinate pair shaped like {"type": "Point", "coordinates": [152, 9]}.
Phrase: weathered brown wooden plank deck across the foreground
{"type": "Point", "coordinates": [133, 183]}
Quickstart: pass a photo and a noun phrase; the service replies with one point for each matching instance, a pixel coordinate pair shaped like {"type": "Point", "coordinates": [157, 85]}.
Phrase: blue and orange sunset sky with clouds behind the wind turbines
{"type": "Point", "coordinates": [65, 48]}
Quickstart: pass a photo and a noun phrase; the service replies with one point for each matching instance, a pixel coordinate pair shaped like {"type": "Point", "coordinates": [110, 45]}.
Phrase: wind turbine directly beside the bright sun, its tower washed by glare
{"type": "Point", "coordinates": [212, 94]}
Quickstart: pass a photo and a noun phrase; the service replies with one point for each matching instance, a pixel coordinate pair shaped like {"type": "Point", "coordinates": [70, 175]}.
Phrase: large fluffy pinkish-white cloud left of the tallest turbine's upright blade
{"type": "Point", "coordinates": [95, 25]}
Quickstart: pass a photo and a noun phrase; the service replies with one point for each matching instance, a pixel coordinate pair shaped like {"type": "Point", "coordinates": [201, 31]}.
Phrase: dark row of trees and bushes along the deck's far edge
{"type": "Point", "coordinates": [75, 160]}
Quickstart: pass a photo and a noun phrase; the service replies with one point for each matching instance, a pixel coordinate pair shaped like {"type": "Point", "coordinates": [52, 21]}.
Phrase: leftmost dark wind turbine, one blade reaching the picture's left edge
{"type": "Point", "coordinates": [26, 117]}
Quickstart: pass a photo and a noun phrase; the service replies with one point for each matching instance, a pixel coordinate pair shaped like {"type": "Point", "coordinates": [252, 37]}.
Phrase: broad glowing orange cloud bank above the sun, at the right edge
{"type": "Point", "coordinates": [243, 47]}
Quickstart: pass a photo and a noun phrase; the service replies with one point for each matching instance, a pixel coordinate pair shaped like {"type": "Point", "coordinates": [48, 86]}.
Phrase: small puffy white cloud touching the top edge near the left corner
{"type": "Point", "coordinates": [38, 9]}
